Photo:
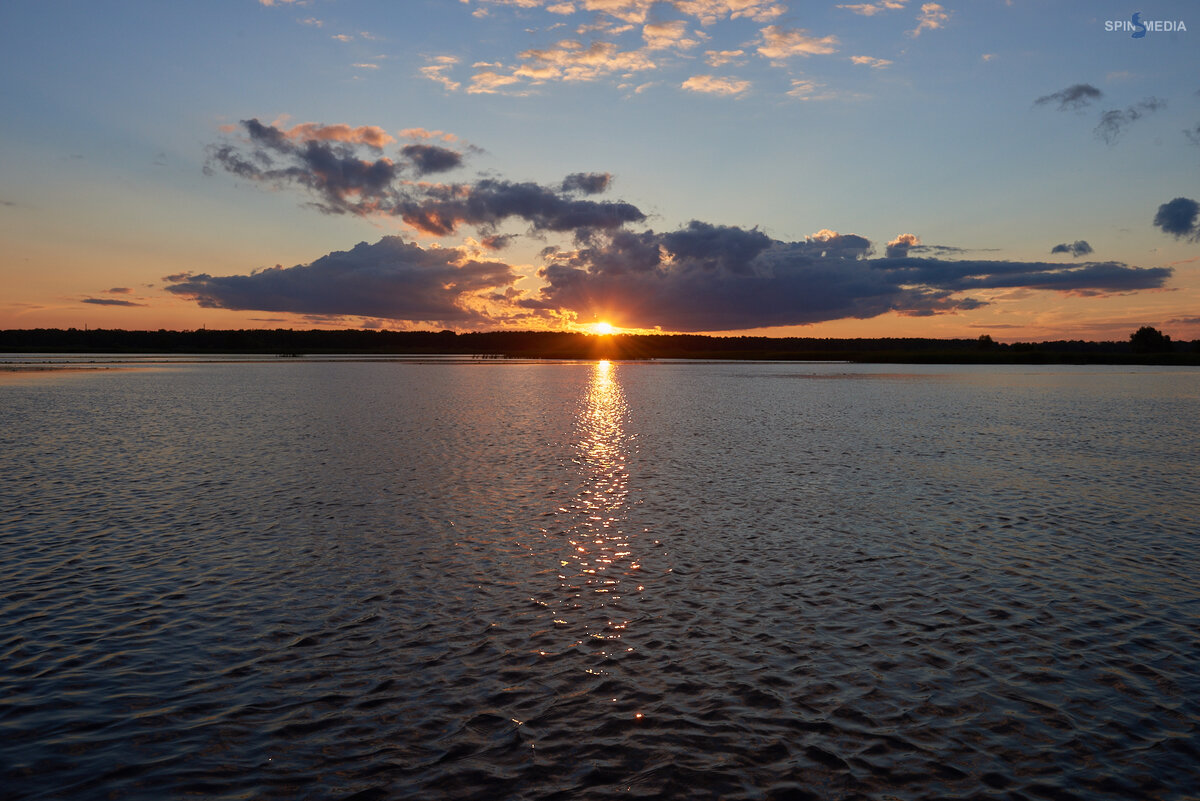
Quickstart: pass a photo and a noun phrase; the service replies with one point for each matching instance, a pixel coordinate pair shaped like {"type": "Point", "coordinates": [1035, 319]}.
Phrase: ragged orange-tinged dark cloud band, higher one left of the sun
{"type": "Point", "coordinates": [343, 183]}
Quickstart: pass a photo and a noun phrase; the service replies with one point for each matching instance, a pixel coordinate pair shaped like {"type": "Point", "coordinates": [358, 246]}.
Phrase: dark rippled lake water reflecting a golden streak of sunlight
{"type": "Point", "coordinates": [579, 581]}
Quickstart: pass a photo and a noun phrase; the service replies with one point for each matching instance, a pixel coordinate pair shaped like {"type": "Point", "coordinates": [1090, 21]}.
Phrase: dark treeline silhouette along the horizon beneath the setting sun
{"type": "Point", "coordinates": [1147, 346]}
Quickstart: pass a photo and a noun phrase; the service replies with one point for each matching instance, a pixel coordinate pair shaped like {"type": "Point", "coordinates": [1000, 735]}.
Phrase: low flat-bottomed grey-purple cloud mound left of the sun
{"type": "Point", "coordinates": [392, 279]}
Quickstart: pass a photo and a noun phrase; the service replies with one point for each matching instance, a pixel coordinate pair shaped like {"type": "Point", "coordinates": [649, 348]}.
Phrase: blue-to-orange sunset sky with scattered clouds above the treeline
{"type": "Point", "coordinates": [1022, 170]}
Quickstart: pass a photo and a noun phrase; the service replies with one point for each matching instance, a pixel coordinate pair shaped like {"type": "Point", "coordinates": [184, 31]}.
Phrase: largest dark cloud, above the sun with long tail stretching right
{"type": "Point", "coordinates": [724, 279]}
